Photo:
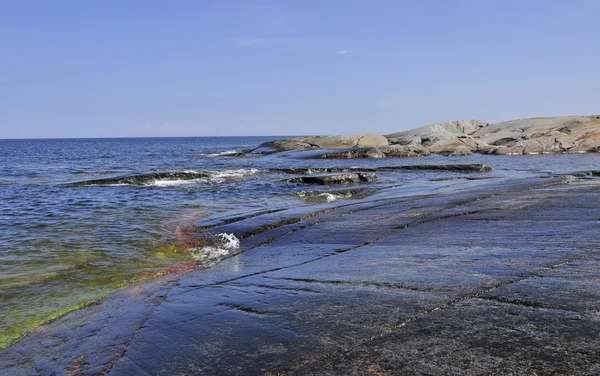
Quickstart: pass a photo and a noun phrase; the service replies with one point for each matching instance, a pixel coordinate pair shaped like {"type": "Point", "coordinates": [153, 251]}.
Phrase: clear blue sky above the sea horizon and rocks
{"type": "Point", "coordinates": [223, 68]}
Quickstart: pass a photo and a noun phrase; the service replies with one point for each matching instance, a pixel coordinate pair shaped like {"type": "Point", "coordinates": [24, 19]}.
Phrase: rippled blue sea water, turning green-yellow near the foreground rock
{"type": "Point", "coordinates": [62, 246]}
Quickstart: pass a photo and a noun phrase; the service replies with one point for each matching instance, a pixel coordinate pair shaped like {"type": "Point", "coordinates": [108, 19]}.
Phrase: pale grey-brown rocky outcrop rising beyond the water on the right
{"type": "Point", "coordinates": [545, 135]}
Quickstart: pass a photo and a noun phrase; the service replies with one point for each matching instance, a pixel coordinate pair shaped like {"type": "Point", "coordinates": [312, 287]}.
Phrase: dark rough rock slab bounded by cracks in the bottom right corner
{"type": "Point", "coordinates": [476, 337]}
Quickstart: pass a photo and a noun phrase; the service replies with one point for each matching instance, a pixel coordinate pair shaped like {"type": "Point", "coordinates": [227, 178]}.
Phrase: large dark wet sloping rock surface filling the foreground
{"type": "Point", "coordinates": [495, 280]}
